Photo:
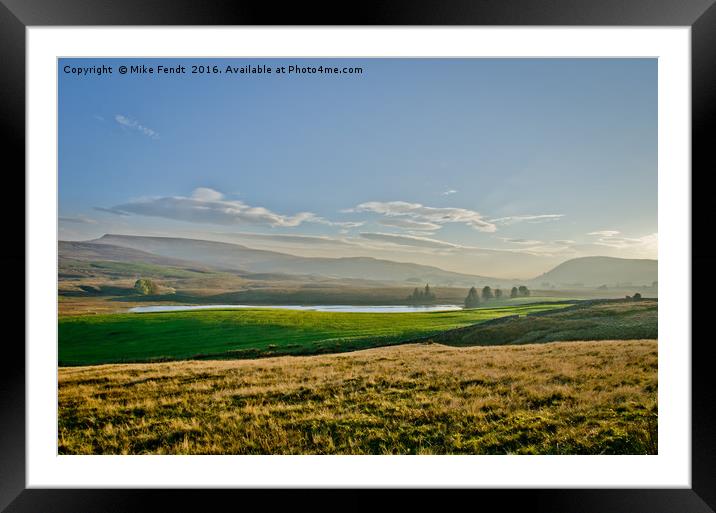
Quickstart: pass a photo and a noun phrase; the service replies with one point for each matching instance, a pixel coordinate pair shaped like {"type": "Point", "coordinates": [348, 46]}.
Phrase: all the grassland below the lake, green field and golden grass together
{"type": "Point", "coordinates": [562, 377]}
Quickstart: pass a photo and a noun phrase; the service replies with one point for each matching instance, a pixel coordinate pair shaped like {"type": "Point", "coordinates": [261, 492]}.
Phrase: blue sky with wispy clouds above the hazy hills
{"type": "Point", "coordinates": [492, 166]}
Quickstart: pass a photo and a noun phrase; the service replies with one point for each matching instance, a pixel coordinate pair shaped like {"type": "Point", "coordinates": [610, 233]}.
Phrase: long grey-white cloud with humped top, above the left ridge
{"type": "Point", "coordinates": [207, 205]}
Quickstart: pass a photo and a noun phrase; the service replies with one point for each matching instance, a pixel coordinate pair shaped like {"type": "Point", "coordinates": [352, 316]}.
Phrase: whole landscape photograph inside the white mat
{"type": "Point", "coordinates": [379, 256]}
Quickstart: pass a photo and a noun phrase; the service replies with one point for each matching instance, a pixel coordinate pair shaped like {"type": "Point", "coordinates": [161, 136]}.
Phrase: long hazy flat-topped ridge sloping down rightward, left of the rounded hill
{"type": "Point", "coordinates": [234, 257]}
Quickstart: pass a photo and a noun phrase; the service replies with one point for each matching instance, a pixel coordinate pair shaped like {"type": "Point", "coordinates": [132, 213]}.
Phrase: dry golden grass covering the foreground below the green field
{"type": "Point", "coordinates": [555, 398]}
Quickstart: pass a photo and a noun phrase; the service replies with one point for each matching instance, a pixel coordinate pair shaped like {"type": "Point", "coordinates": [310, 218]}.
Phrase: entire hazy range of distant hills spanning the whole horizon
{"type": "Point", "coordinates": [193, 253]}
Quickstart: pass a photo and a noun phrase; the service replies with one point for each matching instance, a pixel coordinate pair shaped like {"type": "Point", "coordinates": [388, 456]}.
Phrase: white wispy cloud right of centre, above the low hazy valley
{"type": "Point", "coordinates": [422, 214]}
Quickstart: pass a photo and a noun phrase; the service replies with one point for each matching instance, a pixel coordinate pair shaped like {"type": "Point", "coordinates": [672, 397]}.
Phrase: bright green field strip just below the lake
{"type": "Point", "coordinates": [116, 338]}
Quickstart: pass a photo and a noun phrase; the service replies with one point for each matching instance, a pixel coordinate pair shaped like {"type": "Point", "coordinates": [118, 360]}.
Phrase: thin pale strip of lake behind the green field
{"type": "Point", "coordinates": [317, 308]}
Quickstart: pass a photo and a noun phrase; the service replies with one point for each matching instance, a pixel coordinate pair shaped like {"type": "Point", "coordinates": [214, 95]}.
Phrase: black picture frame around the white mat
{"type": "Point", "coordinates": [700, 15]}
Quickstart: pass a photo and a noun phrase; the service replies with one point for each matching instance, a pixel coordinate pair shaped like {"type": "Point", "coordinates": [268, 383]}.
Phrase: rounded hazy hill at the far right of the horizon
{"type": "Point", "coordinates": [598, 271]}
